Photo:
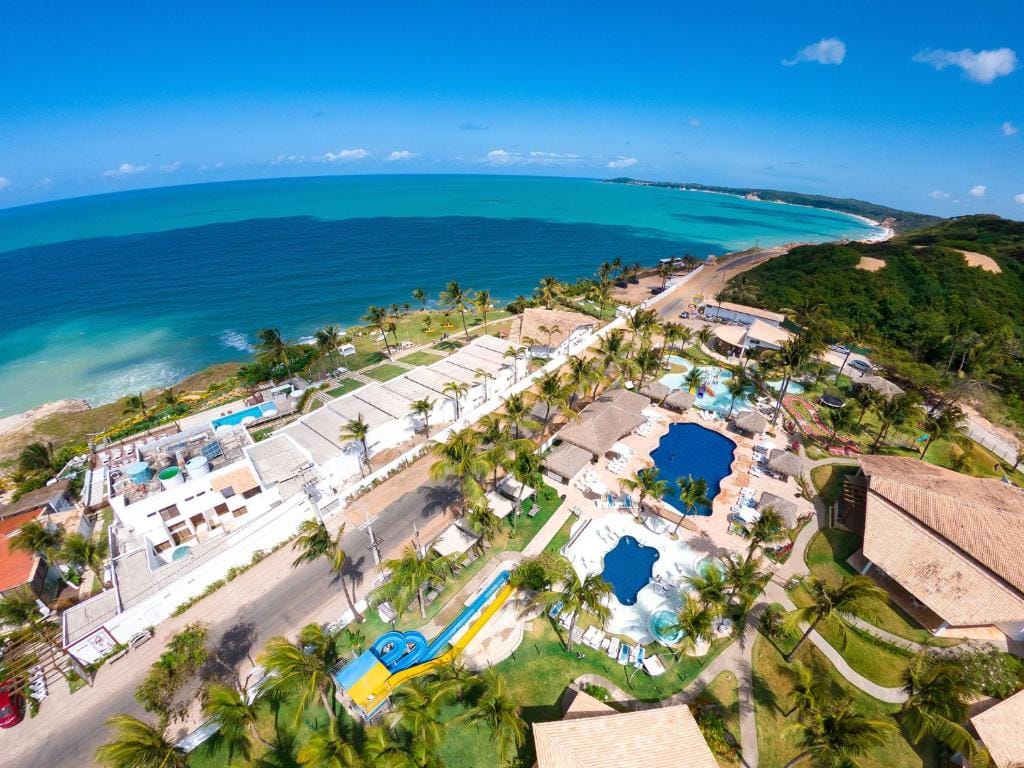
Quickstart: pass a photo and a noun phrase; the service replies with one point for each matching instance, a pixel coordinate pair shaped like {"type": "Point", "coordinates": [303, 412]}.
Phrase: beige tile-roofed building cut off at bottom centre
{"type": "Point", "coordinates": [591, 735]}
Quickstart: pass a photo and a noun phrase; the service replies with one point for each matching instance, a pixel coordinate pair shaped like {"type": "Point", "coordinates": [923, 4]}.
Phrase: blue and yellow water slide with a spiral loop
{"type": "Point", "coordinates": [397, 665]}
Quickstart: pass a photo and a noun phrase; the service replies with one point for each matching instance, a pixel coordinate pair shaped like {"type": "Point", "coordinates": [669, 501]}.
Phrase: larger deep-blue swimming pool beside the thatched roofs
{"type": "Point", "coordinates": [692, 450]}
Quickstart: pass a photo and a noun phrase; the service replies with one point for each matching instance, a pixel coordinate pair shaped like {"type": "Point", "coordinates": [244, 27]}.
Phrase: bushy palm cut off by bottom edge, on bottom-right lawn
{"type": "Point", "coordinates": [834, 734]}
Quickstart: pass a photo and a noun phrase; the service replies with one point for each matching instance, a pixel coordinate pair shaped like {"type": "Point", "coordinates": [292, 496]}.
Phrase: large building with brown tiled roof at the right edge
{"type": "Point", "coordinates": [946, 545]}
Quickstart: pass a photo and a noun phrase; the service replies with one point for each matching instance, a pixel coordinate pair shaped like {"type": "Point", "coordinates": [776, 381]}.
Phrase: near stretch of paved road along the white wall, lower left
{"type": "Point", "coordinates": [269, 601]}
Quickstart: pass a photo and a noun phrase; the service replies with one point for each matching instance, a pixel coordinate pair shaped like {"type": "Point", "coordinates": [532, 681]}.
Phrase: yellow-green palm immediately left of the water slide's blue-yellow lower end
{"type": "Point", "coordinates": [305, 670]}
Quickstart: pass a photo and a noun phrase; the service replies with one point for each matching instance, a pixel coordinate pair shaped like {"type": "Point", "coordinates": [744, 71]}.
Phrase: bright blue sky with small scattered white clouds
{"type": "Point", "coordinates": [916, 105]}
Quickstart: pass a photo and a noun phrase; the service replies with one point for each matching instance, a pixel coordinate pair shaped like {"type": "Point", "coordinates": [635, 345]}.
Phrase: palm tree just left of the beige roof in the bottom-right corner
{"type": "Point", "coordinates": [940, 692]}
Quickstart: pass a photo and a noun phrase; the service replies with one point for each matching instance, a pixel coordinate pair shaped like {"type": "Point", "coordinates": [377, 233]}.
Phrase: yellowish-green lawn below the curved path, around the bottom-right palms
{"type": "Point", "coordinates": [773, 687]}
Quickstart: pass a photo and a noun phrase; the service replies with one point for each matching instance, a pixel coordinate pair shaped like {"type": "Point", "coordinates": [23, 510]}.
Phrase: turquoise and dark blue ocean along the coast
{"type": "Point", "coordinates": [114, 294]}
